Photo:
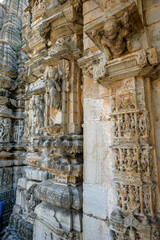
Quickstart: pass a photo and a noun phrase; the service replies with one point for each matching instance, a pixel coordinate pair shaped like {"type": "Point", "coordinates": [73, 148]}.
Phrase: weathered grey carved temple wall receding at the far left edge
{"type": "Point", "coordinates": [12, 60]}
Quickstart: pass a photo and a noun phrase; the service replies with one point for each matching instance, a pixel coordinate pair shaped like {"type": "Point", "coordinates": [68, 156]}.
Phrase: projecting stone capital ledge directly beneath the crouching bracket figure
{"type": "Point", "coordinates": [139, 63]}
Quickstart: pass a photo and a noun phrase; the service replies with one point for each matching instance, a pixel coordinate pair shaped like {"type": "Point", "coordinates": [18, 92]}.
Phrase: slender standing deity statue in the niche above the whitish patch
{"type": "Point", "coordinates": [52, 79]}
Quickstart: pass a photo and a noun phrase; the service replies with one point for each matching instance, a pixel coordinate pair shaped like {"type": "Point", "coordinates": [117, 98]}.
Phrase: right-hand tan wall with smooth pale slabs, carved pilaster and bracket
{"type": "Point", "coordinates": [119, 153]}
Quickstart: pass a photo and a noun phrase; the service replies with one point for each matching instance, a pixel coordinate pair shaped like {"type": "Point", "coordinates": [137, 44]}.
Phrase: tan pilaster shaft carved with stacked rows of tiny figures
{"type": "Point", "coordinates": [133, 161]}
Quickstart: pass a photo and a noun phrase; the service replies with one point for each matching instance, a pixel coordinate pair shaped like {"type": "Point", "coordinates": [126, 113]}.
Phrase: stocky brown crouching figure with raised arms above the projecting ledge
{"type": "Point", "coordinates": [115, 36]}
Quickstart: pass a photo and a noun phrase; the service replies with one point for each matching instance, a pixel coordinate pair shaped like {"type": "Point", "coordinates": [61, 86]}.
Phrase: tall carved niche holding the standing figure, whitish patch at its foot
{"type": "Point", "coordinates": [57, 85]}
